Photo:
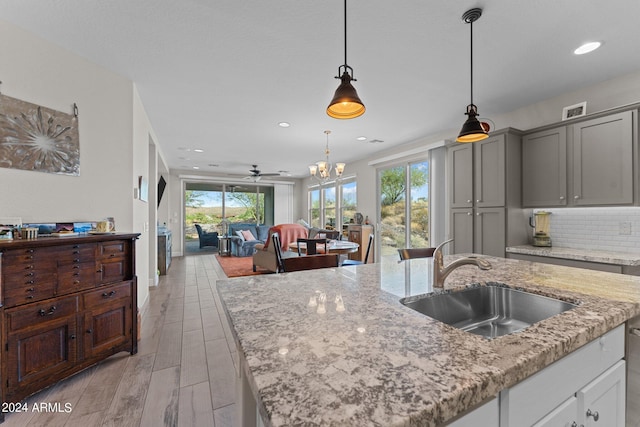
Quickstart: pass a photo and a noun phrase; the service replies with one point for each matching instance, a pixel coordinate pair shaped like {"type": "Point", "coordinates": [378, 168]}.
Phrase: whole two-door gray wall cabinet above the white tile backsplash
{"type": "Point", "coordinates": [588, 163]}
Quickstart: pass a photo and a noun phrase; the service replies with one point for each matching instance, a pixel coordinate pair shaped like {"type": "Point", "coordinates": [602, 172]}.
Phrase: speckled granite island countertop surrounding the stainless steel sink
{"type": "Point", "coordinates": [380, 363]}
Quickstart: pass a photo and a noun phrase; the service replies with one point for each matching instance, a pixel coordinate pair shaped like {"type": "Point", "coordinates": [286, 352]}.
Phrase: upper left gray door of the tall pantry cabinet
{"type": "Point", "coordinates": [460, 176]}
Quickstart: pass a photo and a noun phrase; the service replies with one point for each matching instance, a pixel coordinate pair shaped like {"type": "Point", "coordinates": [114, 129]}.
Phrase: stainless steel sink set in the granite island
{"type": "Point", "coordinates": [490, 311]}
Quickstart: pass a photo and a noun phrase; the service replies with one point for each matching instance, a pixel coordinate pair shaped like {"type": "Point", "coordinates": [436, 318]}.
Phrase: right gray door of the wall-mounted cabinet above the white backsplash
{"type": "Point", "coordinates": [603, 161]}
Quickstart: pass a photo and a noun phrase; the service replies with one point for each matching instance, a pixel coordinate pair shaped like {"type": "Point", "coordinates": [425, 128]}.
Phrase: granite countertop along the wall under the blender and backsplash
{"type": "Point", "coordinates": [604, 257]}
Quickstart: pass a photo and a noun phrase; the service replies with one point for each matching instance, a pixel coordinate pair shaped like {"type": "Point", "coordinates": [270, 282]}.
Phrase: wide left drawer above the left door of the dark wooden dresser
{"type": "Point", "coordinates": [36, 314]}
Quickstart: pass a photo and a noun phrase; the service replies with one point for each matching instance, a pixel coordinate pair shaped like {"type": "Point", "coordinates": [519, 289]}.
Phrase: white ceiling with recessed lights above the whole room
{"type": "Point", "coordinates": [220, 74]}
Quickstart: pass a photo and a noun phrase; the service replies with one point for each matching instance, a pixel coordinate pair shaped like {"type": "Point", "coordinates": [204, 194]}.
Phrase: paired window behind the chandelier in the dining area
{"type": "Point", "coordinates": [332, 204]}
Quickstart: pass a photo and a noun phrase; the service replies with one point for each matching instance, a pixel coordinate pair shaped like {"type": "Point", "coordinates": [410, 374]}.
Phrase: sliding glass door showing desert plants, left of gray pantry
{"type": "Point", "coordinates": [402, 224]}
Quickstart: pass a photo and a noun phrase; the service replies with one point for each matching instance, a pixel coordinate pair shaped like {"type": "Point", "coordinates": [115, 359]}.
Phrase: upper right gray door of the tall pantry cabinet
{"type": "Point", "coordinates": [489, 172]}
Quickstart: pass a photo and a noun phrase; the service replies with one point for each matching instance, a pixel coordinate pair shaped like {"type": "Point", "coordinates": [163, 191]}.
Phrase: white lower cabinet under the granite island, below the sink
{"type": "Point", "coordinates": [586, 388]}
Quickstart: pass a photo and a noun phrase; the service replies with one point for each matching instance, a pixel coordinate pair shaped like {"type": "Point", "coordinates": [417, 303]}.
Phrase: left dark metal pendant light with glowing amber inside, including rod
{"type": "Point", "coordinates": [346, 103]}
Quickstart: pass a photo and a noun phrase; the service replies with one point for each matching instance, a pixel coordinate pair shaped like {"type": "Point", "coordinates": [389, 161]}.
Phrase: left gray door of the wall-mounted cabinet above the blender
{"type": "Point", "coordinates": [544, 168]}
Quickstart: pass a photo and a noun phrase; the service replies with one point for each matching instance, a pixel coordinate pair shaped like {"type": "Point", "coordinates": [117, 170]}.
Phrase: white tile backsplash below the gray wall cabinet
{"type": "Point", "coordinates": [606, 228]}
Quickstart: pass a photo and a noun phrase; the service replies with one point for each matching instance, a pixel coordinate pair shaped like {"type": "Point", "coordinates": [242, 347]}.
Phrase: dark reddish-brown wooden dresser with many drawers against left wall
{"type": "Point", "coordinates": [67, 303]}
